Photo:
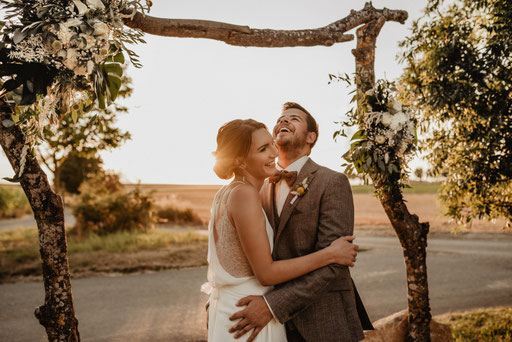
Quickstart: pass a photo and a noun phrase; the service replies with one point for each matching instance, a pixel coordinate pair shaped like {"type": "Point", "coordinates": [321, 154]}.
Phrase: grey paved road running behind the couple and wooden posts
{"type": "Point", "coordinates": [167, 306]}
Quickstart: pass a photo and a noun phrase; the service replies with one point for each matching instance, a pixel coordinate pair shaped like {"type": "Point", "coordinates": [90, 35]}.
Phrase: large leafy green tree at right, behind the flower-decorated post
{"type": "Point", "coordinates": [459, 74]}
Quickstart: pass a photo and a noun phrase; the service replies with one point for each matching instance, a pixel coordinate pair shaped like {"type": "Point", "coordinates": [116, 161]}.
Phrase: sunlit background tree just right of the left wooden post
{"type": "Point", "coordinates": [80, 140]}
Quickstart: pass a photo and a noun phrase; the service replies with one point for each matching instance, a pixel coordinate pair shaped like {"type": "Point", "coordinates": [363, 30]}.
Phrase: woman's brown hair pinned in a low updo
{"type": "Point", "coordinates": [233, 144]}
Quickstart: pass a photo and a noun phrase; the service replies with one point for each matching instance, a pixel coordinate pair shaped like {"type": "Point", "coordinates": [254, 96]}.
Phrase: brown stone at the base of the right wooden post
{"type": "Point", "coordinates": [394, 329]}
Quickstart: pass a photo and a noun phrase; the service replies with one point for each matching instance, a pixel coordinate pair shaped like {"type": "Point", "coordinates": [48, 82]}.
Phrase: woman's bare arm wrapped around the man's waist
{"type": "Point", "coordinates": [244, 209]}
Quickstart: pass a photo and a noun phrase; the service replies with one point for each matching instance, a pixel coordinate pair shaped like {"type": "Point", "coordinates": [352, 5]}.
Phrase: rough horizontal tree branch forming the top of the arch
{"type": "Point", "coordinates": [245, 36]}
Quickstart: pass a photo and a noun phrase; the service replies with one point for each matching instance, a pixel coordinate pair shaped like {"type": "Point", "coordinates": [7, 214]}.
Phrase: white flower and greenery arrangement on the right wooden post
{"type": "Point", "coordinates": [386, 137]}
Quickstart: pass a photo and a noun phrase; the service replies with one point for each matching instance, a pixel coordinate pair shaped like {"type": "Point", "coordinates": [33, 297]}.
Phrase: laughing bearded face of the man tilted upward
{"type": "Point", "coordinates": [291, 129]}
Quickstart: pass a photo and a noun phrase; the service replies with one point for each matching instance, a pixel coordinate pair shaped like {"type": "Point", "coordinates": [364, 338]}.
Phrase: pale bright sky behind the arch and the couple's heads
{"type": "Point", "coordinates": [188, 87]}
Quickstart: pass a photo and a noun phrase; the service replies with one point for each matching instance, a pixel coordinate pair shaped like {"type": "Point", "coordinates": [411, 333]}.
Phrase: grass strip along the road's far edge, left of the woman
{"type": "Point", "coordinates": [120, 252]}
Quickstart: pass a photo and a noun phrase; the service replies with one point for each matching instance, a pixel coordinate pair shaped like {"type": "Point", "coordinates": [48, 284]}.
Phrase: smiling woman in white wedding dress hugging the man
{"type": "Point", "coordinates": [240, 236]}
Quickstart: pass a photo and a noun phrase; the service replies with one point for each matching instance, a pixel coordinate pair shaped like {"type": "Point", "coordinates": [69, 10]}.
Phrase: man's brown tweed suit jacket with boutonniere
{"type": "Point", "coordinates": [321, 305]}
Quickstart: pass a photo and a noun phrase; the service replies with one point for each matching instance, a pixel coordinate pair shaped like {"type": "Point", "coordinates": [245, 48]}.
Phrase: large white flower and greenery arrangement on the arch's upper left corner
{"type": "Point", "coordinates": [62, 56]}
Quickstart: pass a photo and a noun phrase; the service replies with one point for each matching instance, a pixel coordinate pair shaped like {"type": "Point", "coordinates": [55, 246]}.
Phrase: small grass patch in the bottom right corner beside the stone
{"type": "Point", "coordinates": [493, 324]}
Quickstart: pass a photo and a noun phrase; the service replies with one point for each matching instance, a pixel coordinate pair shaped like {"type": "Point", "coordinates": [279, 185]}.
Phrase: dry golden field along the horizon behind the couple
{"type": "Point", "coordinates": [369, 215]}
